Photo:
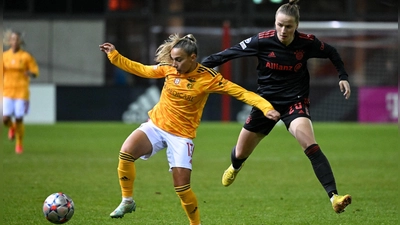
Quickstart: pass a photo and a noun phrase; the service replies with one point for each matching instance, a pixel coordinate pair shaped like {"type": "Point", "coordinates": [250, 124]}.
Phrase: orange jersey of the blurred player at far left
{"type": "Point", "coordinates": [16, 82]}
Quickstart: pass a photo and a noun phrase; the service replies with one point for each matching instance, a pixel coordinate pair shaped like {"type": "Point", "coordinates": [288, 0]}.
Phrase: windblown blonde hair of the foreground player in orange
{"type": "Point", "coordinates": [187, 43]}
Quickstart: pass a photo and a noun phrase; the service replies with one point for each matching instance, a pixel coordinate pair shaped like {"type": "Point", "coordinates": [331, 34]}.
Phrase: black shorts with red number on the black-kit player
{"type": "Point", "coordinates": [258, 123]}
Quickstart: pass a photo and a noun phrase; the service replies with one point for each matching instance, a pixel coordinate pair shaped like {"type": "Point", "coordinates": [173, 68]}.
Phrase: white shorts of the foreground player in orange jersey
{"type": "Point", "coordinates": [179, 150]}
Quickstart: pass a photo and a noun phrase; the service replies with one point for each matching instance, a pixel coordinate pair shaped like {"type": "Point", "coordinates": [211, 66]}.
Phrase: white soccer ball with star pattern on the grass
{"type": "Point", "coordinates": [58, 208]}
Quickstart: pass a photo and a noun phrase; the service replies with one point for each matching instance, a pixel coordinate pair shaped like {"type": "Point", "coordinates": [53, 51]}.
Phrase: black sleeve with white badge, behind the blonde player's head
{"type": "Point", "coordinates": [248, 47]}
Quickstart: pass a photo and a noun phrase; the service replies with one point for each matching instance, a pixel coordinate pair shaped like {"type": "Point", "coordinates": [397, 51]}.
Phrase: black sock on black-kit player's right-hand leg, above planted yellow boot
{"type": "Point", "coordinates": [322, 169]}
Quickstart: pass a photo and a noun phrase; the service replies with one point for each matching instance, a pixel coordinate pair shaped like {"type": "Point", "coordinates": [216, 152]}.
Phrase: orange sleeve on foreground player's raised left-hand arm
{"type": "Point", "coordinates": [136, 68]}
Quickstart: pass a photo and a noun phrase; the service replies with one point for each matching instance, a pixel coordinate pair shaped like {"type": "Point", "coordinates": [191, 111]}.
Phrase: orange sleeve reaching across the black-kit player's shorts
{"type": "Point", "coordinates": [221, 85]}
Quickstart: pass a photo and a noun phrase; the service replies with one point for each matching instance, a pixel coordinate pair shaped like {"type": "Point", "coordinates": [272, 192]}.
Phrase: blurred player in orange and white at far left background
{"type": "Point", "coordinates": [18, 67]}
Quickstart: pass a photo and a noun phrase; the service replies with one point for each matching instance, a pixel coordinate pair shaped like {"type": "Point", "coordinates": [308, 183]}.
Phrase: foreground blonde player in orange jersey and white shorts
{"type": "Point", "coordinates": [174, 119]}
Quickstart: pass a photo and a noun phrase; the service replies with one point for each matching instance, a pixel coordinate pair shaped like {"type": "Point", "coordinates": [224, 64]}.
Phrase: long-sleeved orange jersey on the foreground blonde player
{"type": "Point", "coordinates": [184, 96]}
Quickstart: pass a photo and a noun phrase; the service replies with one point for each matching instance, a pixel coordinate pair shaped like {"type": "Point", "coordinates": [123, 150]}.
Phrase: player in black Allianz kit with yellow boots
{"type": "Point", "coordinates": [283, 79]}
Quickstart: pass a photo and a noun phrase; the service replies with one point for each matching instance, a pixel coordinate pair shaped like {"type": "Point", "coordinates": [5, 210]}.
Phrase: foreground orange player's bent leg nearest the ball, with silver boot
{"type": "Point", "coordinates": [136, 145]}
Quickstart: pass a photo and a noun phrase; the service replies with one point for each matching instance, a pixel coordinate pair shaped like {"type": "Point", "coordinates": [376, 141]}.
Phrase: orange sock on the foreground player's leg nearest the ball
{"type": "Point", "coordinates": [126, 173]}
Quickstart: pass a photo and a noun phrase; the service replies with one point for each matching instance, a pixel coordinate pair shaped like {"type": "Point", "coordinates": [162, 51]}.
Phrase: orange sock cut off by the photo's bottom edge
{"type": "Point", "coordinates": [189, 203]}
